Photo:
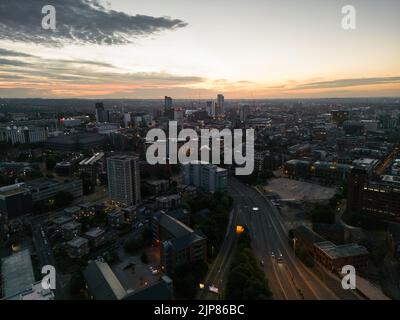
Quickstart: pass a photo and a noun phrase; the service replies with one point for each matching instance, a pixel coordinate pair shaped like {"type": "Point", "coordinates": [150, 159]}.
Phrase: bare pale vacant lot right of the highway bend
{"type": "Point", "coordinates": [299, 190]}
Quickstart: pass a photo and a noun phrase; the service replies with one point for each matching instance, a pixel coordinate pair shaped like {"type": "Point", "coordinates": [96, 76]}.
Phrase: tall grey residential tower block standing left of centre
{"type": "Point", "coordinates": [124, 179]}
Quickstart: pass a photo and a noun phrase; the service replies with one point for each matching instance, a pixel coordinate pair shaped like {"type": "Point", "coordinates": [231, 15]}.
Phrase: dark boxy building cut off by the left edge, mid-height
{"type": "Point", "coordinates": [15, 201]}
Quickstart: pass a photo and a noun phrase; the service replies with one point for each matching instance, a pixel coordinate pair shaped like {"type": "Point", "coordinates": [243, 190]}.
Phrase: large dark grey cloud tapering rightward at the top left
{"type": "Point", "coordinates": [77, 21]}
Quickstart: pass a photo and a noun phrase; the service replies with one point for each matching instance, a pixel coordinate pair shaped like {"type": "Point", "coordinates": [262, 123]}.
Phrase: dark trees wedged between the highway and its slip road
{"type": "Point", "coordinates": [246, 281]}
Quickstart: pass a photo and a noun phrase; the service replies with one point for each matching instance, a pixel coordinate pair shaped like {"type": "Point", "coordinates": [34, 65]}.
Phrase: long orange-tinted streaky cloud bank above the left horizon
{"type": "Point", "coordinates": [71, 78]}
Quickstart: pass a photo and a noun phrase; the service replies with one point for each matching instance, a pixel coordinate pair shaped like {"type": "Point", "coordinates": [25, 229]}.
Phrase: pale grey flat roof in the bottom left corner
{"type": "Point", "coordinates": [17, 273]}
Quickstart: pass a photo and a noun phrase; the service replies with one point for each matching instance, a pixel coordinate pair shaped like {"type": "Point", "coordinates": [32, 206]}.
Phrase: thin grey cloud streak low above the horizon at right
{"type": "Point", "coordinates": [348, 83]}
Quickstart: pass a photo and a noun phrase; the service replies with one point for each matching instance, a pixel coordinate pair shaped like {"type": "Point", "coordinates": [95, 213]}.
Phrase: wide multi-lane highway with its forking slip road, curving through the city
{"type": "Point", "coordinates": [289, 280]}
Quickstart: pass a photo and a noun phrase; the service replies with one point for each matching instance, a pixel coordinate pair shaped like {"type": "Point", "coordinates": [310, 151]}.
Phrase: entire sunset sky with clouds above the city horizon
{"type": "Point", "coordinates": [198, 48]}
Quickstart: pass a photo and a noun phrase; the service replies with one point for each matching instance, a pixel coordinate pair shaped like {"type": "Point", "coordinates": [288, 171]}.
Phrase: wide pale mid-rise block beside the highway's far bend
{"type": "Point", "coordinates": [208, 177]}
